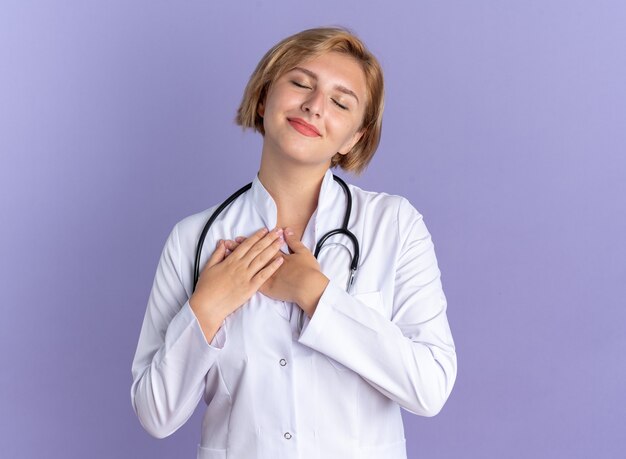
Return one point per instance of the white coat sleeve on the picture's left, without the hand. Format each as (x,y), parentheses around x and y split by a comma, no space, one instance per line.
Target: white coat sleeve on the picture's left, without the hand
(173,356)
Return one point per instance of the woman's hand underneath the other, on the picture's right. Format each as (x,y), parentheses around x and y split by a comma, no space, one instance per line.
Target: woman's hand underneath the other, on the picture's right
(299,279)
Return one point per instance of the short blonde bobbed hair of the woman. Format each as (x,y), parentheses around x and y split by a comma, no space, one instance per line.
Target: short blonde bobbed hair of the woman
(310,43)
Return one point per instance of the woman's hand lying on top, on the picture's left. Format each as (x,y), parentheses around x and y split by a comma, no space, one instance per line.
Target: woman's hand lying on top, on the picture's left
(227,282)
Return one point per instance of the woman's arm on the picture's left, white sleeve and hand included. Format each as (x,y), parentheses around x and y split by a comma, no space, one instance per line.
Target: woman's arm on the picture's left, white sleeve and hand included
(173,356)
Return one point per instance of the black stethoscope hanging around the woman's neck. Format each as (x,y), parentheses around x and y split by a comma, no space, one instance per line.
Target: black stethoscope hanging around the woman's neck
(343,230)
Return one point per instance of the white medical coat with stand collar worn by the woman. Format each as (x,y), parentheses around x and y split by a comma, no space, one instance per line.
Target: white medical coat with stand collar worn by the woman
(332,391)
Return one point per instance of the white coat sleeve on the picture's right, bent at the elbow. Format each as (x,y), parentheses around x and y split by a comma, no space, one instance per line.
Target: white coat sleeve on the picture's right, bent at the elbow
(410,358)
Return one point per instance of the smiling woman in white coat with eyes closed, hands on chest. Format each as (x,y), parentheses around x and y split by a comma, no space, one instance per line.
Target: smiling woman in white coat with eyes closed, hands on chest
(297,356)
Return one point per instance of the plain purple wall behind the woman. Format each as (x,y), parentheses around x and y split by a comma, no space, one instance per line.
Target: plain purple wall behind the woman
(505,125)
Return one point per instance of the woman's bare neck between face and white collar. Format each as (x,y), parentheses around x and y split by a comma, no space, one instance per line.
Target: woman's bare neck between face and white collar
(294,188)
